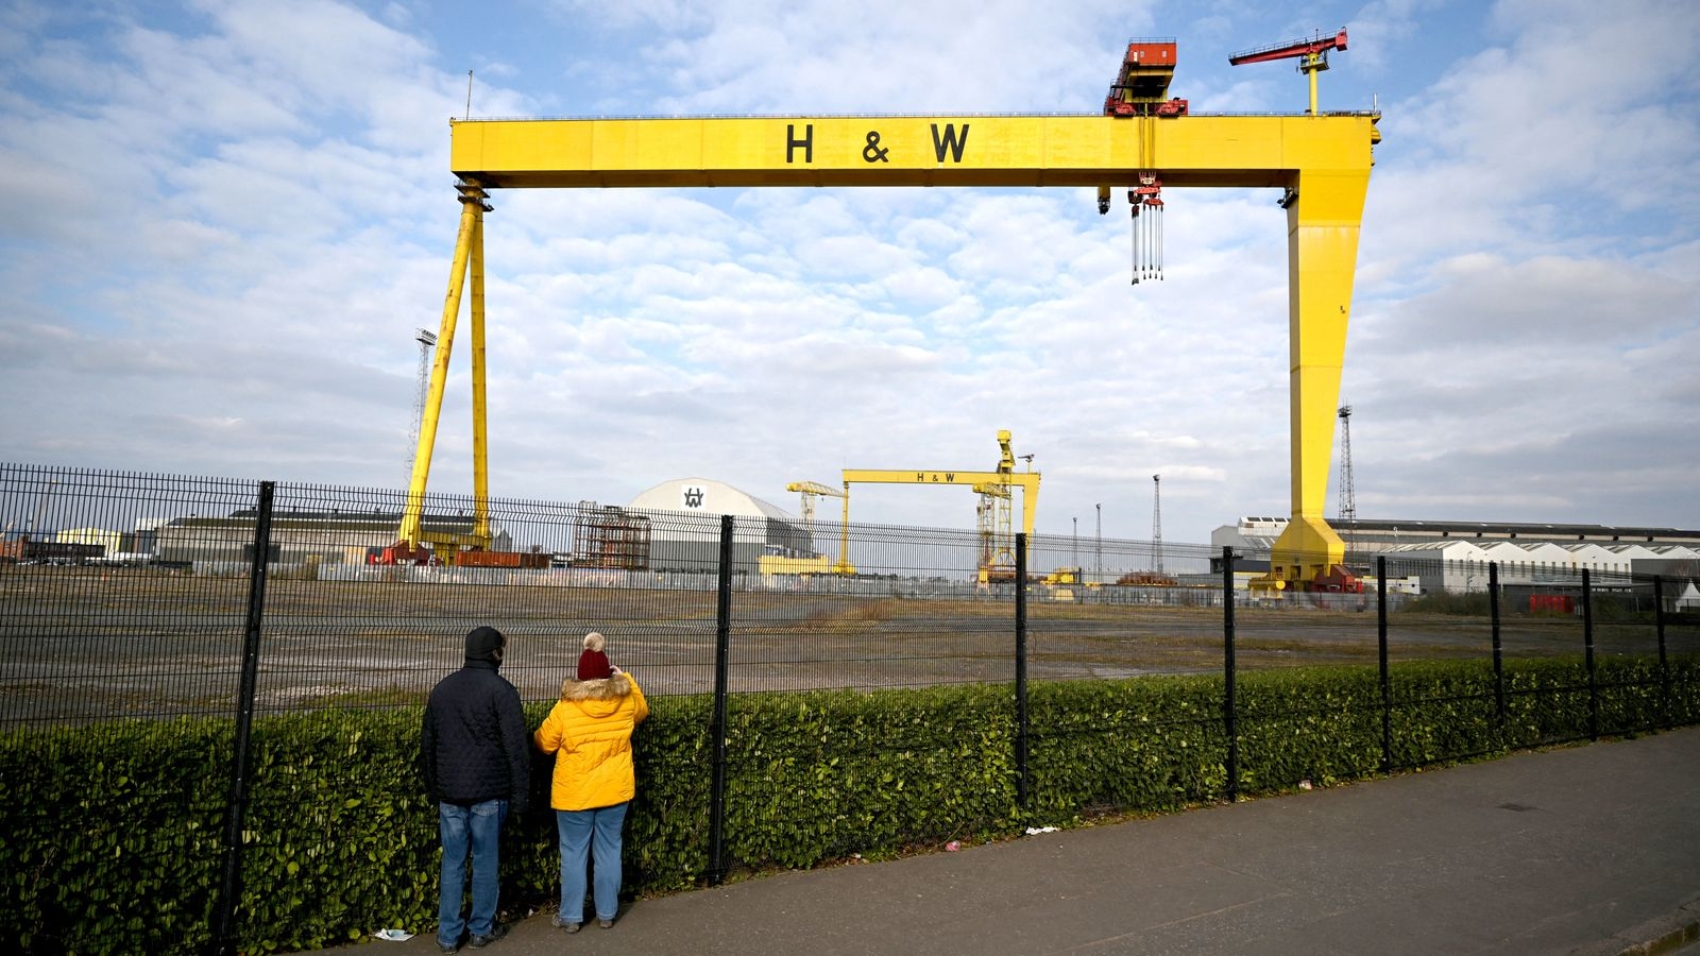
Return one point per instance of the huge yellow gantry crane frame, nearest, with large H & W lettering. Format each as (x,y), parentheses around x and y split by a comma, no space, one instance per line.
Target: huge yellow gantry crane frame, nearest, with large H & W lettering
(1320,162)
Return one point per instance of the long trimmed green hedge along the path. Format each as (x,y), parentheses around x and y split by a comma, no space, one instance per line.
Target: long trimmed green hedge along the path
(111,836)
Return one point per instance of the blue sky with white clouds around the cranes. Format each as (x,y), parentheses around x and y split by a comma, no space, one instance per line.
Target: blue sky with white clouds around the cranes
(227,219)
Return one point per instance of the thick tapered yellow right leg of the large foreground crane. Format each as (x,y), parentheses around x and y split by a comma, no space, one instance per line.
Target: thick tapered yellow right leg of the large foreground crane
(1322,258)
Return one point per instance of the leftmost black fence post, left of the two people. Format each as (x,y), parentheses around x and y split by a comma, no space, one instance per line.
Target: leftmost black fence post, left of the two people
(237,805)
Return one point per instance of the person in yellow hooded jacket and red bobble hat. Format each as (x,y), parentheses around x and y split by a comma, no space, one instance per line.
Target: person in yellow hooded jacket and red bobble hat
(591,734)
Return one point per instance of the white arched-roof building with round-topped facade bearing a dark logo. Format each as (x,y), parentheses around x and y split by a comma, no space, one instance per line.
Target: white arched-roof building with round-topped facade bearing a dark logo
(686,526)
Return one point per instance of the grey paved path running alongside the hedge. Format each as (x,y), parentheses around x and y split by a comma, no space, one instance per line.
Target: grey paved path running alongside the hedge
(1589,850)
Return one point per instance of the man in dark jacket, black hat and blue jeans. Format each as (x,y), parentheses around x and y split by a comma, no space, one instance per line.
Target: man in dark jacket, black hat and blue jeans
(477,760)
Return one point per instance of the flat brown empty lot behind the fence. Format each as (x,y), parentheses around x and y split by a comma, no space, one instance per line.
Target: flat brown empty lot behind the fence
(89,642)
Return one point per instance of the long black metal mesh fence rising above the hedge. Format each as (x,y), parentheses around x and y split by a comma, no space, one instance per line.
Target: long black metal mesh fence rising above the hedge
(166,596)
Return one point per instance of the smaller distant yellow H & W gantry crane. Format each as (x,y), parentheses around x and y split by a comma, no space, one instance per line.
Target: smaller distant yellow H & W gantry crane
(997,550)
